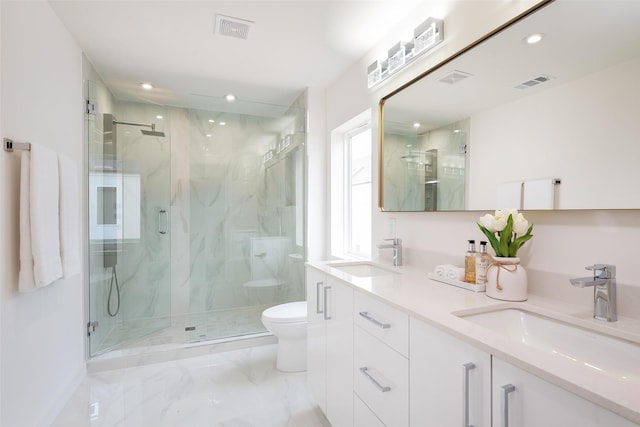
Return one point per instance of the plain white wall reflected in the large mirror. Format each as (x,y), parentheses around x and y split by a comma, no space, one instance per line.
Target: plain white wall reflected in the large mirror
(565,120)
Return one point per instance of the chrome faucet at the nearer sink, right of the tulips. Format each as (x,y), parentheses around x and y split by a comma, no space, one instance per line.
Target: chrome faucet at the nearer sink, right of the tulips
(604,291)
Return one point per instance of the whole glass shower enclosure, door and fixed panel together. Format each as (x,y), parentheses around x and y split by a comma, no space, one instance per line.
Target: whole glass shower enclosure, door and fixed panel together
(195,219)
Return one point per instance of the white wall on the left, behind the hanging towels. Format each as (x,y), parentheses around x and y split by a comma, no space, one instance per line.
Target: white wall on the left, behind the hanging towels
(42,332)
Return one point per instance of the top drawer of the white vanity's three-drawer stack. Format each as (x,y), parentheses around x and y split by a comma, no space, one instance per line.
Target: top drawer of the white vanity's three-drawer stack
(386,323)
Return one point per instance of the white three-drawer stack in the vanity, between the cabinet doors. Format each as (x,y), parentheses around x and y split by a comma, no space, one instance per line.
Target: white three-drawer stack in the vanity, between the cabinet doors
(381,365)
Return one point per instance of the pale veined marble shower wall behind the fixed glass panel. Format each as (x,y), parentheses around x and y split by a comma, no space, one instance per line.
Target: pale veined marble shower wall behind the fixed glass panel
(234,197)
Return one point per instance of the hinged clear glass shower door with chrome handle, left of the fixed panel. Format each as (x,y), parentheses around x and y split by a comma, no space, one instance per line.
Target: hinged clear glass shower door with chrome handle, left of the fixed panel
(129,182)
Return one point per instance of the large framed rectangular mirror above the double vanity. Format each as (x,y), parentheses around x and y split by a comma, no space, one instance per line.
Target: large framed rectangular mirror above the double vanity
(509,124)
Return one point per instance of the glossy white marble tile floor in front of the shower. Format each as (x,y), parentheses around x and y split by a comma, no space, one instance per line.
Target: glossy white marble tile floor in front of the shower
(239,388)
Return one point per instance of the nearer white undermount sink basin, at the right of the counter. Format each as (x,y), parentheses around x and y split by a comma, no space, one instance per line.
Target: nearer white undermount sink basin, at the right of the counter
(605,354)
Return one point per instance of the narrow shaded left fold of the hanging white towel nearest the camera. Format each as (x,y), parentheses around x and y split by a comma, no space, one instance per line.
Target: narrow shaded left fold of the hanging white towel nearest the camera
(26,282)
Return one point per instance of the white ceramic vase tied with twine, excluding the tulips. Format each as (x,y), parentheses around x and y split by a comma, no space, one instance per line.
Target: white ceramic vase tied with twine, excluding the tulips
(506,280)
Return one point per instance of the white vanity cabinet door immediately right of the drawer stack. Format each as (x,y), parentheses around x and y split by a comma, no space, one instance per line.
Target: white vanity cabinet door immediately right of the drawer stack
(450,380)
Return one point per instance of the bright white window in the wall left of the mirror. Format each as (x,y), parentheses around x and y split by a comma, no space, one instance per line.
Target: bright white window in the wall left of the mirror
(351,188)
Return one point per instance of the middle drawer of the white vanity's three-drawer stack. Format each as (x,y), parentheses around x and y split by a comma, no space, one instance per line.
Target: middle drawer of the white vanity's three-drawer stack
(381,379)
